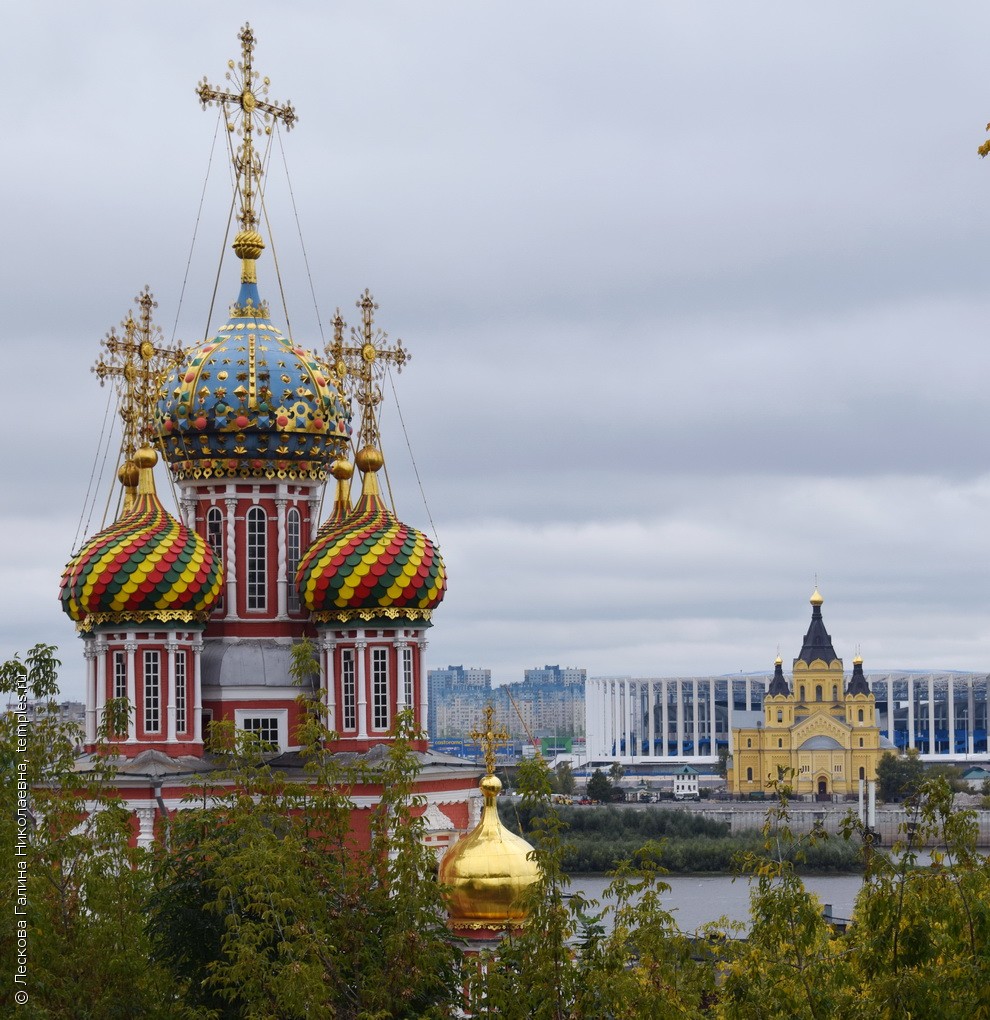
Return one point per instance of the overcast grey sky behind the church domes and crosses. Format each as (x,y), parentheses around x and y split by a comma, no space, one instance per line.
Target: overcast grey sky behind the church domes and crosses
(697,297)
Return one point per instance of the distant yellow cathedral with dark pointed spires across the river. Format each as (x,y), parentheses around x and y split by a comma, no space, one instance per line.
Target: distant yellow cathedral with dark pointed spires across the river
(819,737)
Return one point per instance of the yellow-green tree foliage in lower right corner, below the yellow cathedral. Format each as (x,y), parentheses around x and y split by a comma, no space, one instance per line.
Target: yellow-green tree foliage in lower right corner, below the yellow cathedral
(917,947)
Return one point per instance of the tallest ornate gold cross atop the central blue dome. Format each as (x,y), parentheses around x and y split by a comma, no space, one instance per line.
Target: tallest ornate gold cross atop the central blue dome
(249,96)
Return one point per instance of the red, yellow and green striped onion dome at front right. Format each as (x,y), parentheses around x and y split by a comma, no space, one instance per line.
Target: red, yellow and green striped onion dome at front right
(372,567)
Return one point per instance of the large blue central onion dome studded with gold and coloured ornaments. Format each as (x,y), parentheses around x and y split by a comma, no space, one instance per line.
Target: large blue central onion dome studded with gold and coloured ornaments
(250,403)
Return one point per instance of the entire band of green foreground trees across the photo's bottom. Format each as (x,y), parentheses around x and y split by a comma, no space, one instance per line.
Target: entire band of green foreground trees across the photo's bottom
(256,902)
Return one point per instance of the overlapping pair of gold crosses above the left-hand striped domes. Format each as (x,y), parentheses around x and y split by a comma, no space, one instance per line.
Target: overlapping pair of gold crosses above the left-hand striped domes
(138,363)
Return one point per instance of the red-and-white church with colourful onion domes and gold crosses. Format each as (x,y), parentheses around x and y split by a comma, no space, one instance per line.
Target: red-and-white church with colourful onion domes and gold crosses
(194,618)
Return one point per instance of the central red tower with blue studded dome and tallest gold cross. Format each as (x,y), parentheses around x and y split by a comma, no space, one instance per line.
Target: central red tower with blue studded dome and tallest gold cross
(249,426)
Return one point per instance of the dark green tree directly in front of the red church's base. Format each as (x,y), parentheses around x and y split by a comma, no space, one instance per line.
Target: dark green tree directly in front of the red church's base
(265,906)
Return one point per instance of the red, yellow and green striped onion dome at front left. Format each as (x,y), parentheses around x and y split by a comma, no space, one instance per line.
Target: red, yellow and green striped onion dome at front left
(145,568)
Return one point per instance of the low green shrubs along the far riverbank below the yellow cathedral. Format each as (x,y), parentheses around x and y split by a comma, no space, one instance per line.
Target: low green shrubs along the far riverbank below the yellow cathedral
(598,839)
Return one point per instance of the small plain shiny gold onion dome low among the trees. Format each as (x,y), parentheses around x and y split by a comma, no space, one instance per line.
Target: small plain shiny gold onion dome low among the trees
(488,872)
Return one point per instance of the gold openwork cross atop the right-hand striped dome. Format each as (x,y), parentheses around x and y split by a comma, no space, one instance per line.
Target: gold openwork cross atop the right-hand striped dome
(366,361)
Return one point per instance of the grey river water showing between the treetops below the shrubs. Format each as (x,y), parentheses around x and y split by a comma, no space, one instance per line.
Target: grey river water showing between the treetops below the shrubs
(696,900)
